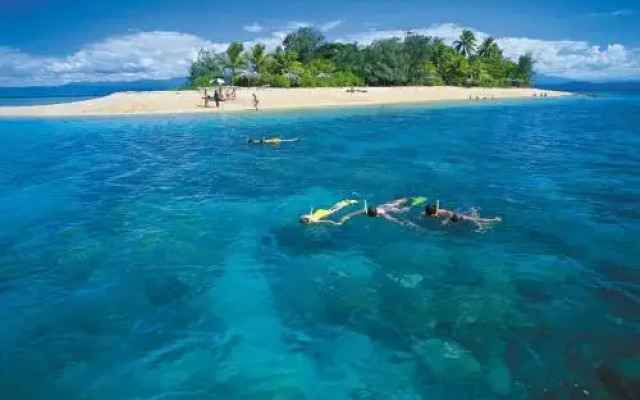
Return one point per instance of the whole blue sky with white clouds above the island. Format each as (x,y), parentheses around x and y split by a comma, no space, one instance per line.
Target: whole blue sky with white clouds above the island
(47,42)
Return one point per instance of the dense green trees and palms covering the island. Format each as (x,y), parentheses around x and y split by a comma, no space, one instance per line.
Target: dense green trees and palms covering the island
(307,59)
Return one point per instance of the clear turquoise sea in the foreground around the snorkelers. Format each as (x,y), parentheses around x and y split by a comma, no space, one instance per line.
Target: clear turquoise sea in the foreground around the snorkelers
(162,258)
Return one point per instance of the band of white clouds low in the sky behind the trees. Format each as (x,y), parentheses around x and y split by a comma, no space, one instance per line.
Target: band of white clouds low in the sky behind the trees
(163,55)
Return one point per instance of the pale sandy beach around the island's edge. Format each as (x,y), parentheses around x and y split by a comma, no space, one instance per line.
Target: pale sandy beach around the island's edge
(191,102)
